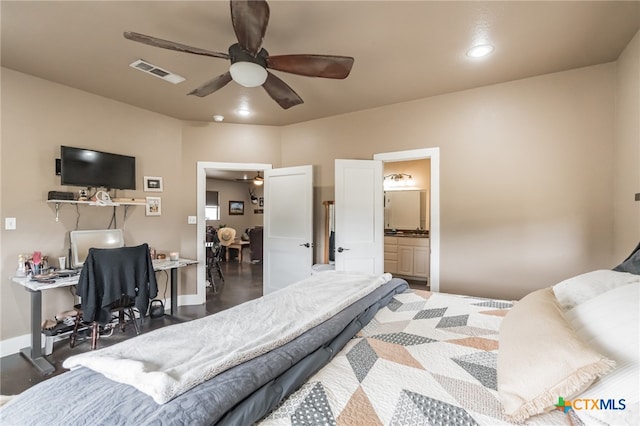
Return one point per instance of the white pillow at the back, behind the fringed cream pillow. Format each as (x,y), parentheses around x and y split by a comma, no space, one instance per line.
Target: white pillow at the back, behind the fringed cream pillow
(576,290)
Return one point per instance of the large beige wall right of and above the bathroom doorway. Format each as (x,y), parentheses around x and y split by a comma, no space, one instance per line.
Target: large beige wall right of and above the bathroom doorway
(526,174)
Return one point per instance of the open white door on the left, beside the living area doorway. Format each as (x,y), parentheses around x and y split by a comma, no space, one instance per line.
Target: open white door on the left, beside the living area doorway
(288,226)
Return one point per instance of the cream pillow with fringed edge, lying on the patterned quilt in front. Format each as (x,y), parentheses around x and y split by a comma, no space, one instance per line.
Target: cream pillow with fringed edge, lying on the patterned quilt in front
(541,358)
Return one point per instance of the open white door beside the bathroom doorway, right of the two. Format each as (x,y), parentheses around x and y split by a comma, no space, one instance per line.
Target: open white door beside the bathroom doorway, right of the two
(359,212)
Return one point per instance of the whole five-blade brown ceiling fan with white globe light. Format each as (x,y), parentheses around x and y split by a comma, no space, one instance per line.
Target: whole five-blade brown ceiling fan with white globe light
(249,60)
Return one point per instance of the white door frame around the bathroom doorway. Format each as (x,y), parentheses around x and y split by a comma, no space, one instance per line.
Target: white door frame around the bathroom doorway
(432,154)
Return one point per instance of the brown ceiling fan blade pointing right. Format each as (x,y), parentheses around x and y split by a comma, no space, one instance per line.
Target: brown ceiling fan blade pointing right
(326,66)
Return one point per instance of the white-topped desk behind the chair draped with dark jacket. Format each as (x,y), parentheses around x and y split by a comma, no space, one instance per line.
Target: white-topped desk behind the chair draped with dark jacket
(34,352)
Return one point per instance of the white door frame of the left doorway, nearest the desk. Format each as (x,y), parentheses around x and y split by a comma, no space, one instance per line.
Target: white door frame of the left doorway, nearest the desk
(201,187)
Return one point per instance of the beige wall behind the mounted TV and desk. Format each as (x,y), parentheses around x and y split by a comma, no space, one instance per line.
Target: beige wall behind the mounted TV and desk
(38,116)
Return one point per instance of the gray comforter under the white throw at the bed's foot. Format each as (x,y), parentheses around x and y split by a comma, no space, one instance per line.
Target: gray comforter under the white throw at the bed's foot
(239,396)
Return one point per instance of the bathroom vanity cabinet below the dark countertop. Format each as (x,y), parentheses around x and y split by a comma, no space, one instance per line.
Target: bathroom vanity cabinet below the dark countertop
(408,256)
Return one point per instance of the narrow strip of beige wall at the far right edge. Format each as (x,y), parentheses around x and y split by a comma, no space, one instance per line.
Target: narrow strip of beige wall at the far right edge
(626,172)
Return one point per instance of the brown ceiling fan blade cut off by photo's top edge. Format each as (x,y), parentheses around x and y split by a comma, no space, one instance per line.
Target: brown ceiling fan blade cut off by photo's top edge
(250,19)
